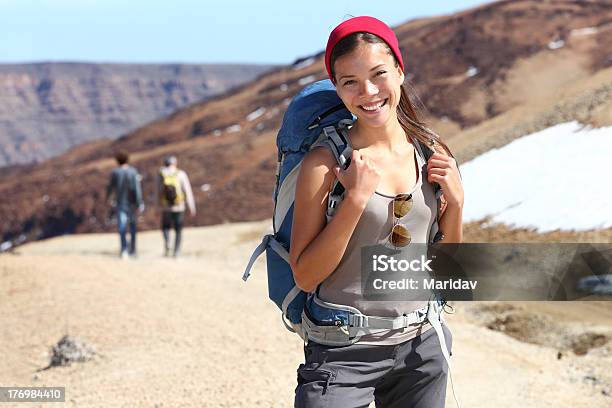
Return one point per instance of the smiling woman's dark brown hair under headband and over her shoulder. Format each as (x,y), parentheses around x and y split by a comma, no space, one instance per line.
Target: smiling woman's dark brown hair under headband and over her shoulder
(406,112)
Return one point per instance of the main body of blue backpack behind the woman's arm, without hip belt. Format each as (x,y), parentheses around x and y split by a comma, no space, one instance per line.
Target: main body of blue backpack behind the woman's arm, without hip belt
(316,116)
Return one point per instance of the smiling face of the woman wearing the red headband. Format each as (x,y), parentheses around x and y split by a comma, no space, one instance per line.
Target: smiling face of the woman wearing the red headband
(368,82)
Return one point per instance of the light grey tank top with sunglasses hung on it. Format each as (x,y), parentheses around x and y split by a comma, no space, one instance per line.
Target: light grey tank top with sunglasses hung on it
(343,286)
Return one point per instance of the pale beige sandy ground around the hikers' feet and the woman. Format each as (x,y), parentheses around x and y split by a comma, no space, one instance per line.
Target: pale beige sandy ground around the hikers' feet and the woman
(191,333)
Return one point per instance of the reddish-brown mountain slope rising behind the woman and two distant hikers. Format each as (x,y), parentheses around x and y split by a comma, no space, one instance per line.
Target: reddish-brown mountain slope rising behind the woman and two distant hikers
(483,76)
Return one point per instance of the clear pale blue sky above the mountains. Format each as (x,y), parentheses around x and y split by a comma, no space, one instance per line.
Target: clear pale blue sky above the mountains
(187,31)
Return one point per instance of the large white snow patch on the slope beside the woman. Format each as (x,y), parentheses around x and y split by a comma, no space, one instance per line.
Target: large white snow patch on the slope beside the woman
(548,180)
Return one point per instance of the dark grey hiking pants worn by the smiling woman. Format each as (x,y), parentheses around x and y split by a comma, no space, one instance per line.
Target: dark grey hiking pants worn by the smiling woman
(408,375)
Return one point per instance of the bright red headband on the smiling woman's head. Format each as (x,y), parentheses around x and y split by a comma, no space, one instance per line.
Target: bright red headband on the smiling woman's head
(362,24)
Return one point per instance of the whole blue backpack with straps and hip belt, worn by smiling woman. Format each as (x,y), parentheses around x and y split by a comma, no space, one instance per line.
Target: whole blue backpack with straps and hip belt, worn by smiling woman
(315,117)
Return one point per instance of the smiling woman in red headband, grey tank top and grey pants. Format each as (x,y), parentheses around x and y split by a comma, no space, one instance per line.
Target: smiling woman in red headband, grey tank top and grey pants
(388,192)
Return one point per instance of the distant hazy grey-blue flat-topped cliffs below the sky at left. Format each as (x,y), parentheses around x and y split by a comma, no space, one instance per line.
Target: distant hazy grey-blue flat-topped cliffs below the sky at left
(49,107)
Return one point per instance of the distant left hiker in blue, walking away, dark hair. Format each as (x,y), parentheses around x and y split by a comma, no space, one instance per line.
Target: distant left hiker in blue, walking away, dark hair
(124,194)
